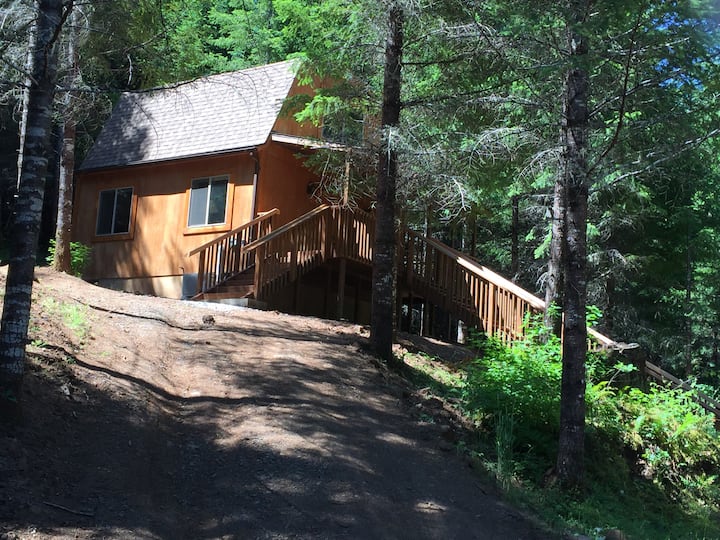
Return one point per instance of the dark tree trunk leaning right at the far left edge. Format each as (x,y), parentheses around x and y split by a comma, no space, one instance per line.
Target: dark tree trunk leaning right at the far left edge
(28,207)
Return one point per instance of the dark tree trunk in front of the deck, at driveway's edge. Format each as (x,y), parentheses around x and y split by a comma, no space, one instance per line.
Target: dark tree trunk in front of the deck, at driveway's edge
(383,282)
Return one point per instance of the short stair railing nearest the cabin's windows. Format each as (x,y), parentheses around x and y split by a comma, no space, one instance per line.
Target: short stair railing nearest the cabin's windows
(224,257)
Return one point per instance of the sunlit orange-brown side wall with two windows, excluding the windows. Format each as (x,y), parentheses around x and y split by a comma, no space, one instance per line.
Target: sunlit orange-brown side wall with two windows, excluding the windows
(160,240)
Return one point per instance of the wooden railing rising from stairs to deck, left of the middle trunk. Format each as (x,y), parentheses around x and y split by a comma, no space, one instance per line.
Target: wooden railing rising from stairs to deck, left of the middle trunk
(307,242)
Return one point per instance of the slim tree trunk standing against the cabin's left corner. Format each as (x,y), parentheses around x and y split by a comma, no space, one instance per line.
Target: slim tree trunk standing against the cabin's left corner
(62,261)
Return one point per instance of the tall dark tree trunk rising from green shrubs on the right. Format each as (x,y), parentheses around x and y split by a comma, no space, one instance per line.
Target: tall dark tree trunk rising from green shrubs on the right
(571,447)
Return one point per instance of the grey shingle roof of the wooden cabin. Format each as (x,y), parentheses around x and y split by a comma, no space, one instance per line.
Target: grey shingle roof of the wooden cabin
(210,115)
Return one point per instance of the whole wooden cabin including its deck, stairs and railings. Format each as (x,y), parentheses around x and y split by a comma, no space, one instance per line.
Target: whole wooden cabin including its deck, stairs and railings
(198,190)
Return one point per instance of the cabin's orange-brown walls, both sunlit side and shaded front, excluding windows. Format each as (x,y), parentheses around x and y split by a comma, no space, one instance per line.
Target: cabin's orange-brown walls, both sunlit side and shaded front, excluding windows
(160,239)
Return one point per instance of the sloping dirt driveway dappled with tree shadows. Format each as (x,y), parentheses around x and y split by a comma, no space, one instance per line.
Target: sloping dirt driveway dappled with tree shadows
(151,418)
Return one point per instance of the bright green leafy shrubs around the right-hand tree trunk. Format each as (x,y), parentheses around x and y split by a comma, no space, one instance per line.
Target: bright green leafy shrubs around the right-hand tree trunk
(664,433)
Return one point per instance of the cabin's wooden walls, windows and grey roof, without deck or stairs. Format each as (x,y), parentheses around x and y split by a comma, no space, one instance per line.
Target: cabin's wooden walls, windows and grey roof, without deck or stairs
(175,168)
